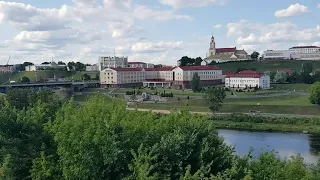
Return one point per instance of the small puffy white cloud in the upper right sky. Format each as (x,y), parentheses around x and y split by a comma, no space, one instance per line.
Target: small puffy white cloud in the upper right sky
(292,10)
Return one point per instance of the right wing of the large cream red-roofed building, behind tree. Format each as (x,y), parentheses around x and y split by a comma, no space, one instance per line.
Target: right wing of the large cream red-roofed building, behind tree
(209,76)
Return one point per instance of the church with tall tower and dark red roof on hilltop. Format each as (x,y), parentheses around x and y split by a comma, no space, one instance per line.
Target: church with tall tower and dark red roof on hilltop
(220,55)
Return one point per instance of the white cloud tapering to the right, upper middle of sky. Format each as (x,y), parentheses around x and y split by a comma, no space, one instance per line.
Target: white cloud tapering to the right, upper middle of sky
(143,12)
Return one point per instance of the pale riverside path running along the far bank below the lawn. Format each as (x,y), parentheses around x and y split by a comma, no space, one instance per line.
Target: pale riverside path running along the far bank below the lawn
(221,114)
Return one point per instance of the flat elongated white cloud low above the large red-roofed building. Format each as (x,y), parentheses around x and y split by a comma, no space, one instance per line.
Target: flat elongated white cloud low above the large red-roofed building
(149,47)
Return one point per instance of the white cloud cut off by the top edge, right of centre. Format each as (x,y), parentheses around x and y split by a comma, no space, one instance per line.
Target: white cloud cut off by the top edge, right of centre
(191,3)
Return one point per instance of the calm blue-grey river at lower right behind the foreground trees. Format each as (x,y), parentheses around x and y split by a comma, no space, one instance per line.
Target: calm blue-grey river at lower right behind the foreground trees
(286,144)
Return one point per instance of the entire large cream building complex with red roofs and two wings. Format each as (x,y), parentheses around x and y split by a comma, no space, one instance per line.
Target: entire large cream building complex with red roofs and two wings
(175,77)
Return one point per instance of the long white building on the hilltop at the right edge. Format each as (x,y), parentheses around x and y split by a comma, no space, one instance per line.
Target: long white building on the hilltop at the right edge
(294,53)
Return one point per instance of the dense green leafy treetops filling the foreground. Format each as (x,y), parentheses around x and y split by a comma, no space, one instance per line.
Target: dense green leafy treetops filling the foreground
(42,137)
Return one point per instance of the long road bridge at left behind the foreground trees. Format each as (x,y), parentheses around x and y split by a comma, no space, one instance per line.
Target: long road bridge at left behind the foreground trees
(74,86)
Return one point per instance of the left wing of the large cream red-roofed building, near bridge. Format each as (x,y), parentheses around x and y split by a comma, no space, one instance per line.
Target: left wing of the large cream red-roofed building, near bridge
(122,77)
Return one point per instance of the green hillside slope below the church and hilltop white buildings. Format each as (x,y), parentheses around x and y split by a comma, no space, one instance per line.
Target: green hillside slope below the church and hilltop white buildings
(262,66)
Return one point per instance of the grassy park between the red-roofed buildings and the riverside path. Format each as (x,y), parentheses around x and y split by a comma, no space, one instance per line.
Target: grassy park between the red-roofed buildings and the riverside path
(280,99)
